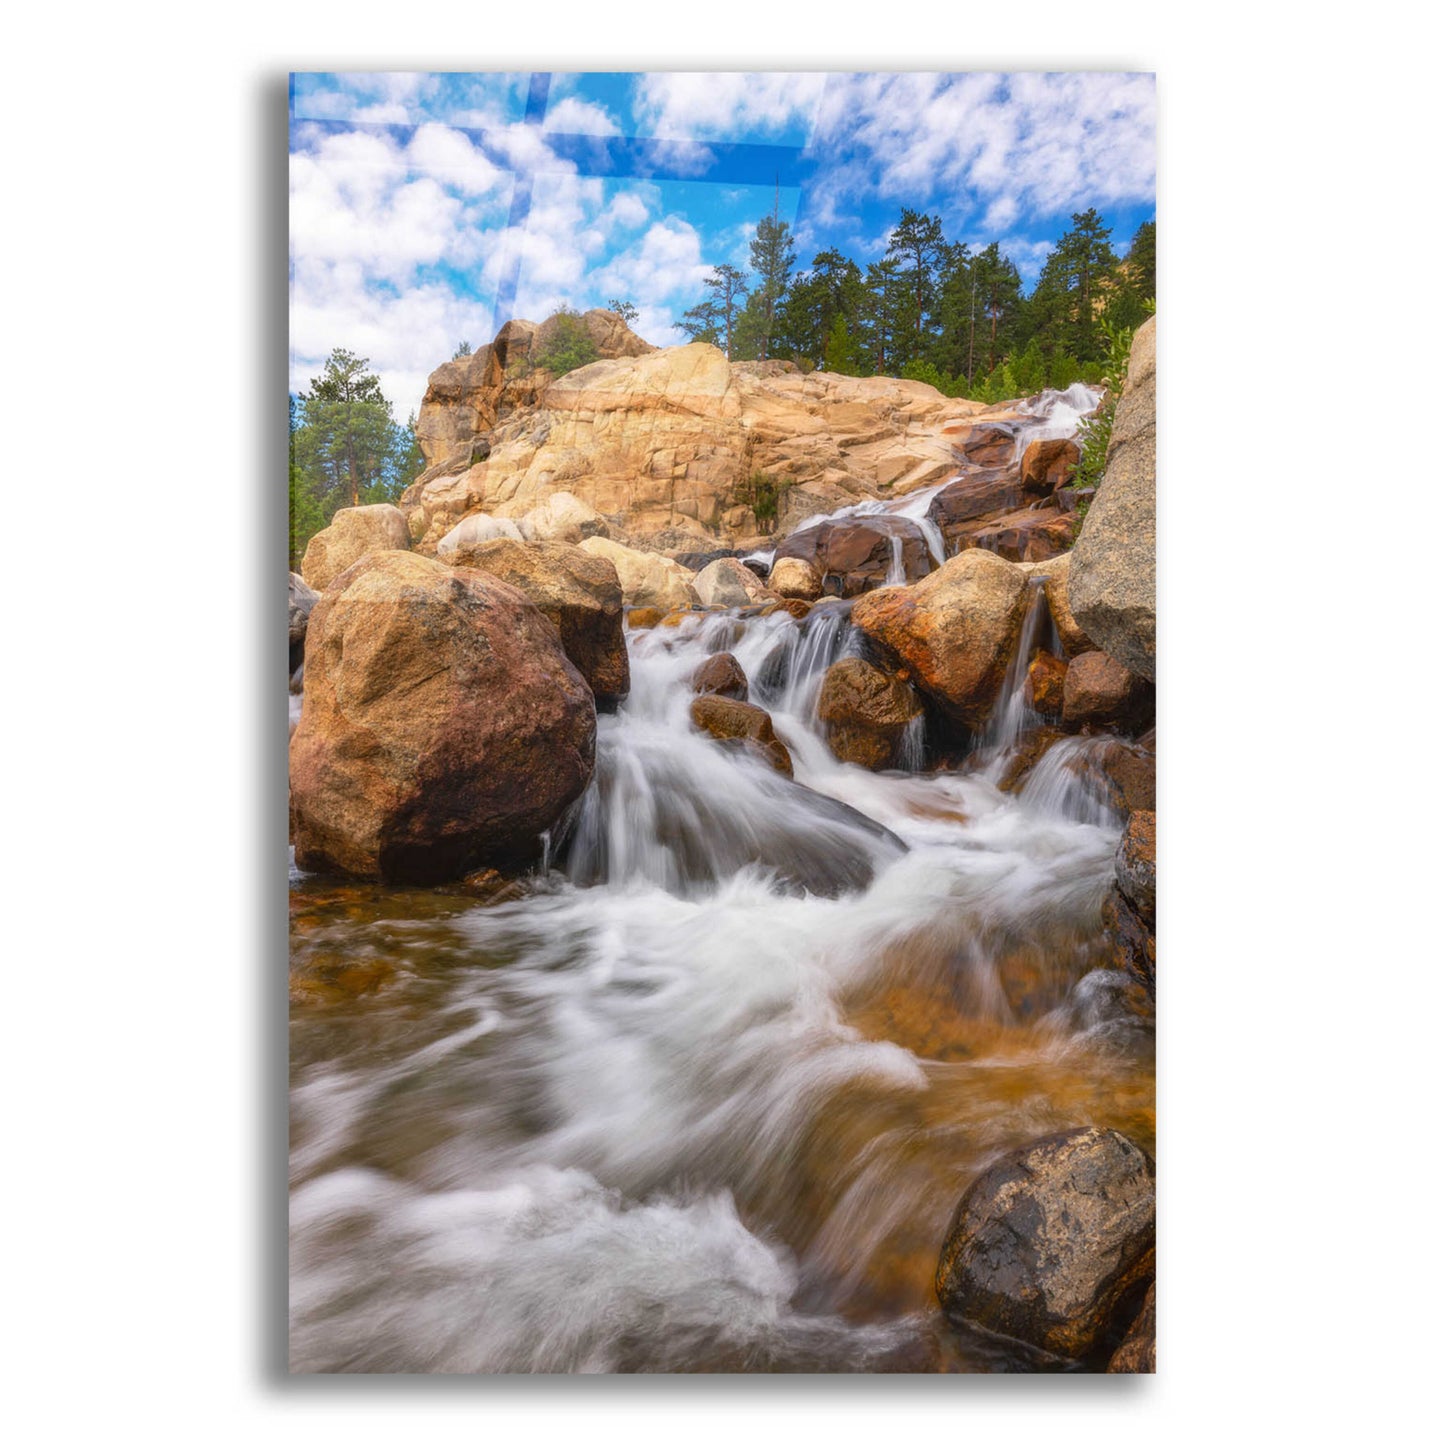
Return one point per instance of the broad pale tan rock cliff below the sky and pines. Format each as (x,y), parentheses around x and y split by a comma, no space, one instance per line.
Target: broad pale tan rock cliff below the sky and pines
(668,440)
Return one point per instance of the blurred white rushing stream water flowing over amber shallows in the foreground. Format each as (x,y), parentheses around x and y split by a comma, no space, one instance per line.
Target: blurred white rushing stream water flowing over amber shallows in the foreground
(706,1092)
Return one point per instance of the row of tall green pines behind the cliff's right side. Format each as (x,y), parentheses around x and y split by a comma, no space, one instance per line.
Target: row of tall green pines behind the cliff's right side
(933,310)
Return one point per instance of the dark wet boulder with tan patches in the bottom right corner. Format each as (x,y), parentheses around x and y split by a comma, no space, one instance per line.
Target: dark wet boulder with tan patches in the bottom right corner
(1054,1243)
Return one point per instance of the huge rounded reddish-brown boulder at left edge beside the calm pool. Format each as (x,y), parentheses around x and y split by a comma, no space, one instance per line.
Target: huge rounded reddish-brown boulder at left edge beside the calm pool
(443,729)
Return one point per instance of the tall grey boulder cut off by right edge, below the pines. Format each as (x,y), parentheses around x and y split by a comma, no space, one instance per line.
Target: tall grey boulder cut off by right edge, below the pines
(1112,580)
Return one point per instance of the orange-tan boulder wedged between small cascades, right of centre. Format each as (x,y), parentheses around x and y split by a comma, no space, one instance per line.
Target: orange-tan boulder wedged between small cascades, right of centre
(953,632)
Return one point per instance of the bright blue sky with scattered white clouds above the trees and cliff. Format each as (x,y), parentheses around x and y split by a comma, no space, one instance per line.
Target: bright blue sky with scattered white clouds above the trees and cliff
(427,209)
